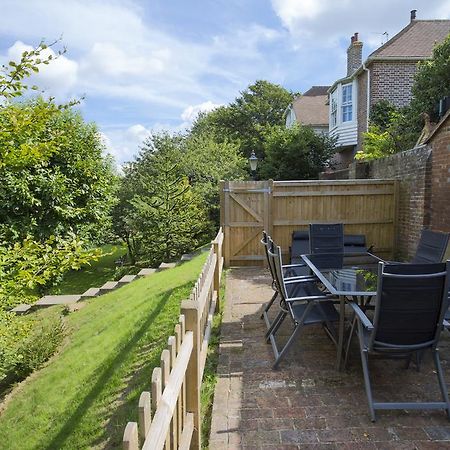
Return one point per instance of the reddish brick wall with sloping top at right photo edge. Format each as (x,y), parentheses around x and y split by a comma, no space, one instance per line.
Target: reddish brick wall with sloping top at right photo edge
(440,178)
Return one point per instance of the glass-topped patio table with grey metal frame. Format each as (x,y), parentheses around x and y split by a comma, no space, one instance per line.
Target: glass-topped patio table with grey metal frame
(348,276)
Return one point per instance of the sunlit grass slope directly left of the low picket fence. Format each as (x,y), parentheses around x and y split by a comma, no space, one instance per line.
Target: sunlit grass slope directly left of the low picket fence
(86,394)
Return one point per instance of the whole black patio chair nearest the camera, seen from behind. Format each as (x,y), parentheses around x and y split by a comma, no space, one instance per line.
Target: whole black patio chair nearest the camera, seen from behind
(409,312)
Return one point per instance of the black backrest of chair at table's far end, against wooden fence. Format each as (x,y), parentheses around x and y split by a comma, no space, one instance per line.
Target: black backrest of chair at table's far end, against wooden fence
(326,238)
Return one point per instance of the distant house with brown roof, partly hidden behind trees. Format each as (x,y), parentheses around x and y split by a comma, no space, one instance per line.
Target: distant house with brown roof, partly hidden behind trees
(311,108)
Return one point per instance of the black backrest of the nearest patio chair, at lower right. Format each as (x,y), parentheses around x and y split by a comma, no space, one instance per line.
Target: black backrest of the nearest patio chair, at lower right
(410,306)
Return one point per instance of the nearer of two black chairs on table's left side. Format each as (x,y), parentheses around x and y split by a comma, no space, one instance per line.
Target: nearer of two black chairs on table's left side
(307,306)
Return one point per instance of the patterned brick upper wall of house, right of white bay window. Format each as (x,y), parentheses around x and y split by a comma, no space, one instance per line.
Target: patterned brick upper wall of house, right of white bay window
(392,81)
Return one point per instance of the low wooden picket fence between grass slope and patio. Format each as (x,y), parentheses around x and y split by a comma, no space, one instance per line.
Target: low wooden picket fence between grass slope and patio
(175,385)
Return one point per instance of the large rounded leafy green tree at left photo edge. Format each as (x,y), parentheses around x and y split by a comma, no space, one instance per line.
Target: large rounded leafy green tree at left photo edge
(53,178)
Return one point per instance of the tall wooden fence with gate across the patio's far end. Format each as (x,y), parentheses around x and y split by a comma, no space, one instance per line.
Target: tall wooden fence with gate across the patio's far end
(247,207)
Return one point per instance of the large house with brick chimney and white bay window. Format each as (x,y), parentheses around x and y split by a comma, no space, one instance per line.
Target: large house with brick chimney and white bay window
(387,74)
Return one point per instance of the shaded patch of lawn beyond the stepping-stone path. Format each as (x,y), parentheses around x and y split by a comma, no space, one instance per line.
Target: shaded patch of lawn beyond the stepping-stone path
(93,275)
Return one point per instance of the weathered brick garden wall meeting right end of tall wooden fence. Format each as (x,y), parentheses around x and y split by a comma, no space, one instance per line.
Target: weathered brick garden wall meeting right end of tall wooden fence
(413,169)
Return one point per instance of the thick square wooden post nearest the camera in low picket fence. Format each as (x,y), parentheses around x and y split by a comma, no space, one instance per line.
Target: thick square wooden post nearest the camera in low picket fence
(190,311)
